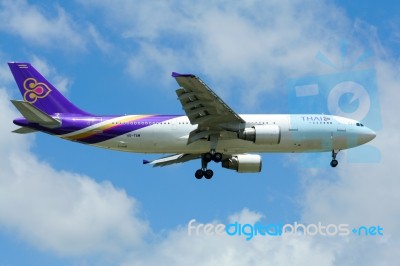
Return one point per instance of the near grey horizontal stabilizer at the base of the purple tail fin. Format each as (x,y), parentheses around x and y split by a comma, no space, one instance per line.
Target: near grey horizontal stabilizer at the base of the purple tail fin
(35,115)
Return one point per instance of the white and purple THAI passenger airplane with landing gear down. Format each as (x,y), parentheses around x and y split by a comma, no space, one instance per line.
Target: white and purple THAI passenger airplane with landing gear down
(210,130)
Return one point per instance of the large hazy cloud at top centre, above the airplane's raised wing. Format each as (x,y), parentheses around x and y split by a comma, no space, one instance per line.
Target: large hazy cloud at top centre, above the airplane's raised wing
(247,44)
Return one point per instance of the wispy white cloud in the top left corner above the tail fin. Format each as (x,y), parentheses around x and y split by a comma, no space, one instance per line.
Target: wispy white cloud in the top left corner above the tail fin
(41,27)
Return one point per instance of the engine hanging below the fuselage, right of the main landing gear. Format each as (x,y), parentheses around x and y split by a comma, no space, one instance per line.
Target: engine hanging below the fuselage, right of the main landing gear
(244,163)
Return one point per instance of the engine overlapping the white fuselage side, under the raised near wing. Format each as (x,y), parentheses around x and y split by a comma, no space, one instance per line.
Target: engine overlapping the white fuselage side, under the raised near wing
(261,134)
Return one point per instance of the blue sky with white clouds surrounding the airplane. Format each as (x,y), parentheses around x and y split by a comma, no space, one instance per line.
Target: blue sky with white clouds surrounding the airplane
(69,204)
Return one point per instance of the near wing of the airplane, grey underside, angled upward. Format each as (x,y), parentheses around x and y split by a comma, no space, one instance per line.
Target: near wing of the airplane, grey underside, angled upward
(202,105)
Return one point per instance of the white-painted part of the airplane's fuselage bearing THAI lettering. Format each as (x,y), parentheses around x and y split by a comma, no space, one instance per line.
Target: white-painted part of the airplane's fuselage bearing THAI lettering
(298,133)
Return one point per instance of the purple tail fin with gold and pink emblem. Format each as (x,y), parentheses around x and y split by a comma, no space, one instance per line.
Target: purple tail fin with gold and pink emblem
(36,90)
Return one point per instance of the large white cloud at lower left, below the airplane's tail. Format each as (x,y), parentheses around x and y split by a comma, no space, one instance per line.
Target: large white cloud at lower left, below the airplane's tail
(67,213)
